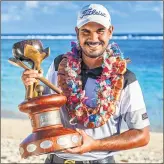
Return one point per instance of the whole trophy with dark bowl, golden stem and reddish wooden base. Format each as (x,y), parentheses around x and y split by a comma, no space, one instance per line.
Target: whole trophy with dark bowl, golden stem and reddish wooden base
(48,134)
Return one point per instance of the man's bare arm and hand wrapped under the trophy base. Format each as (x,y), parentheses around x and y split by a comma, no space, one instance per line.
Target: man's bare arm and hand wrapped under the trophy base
(132,138)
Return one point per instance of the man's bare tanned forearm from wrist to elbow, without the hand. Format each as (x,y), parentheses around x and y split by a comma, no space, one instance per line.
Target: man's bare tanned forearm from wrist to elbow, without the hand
(127,140)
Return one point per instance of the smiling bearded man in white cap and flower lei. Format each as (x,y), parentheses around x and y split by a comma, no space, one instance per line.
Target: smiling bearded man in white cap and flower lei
(103,115)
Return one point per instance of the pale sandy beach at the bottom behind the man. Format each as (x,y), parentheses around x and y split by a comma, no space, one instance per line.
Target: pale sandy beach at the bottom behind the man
(13,131)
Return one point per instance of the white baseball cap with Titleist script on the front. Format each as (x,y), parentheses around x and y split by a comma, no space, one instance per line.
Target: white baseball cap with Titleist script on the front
(94,13)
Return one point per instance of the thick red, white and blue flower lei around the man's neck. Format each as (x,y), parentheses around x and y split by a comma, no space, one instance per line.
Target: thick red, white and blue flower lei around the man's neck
(108,86)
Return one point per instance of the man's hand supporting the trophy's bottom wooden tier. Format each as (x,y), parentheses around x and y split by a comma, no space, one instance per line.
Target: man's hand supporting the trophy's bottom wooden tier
(89,144)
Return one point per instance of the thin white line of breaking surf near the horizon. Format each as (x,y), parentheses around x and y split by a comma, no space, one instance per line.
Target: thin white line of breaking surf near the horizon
(69,37)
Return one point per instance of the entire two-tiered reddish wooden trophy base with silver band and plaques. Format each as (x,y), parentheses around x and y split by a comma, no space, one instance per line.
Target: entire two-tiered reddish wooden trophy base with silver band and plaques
(48,133)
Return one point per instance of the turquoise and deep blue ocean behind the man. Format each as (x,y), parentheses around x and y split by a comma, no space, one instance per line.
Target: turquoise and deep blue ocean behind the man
(144,50)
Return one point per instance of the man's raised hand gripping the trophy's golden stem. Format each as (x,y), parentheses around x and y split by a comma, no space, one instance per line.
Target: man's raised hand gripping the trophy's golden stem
(29,77)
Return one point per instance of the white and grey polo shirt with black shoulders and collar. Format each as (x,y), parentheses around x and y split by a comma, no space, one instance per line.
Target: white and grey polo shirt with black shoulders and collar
(130,108)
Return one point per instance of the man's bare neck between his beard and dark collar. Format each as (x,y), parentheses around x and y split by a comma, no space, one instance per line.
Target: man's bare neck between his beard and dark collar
(92,62)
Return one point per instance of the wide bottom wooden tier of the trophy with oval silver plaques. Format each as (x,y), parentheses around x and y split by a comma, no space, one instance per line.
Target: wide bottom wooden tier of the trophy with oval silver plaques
(48,141)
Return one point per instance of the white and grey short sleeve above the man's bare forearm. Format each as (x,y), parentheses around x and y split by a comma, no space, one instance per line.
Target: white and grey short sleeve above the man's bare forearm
(133,109)
